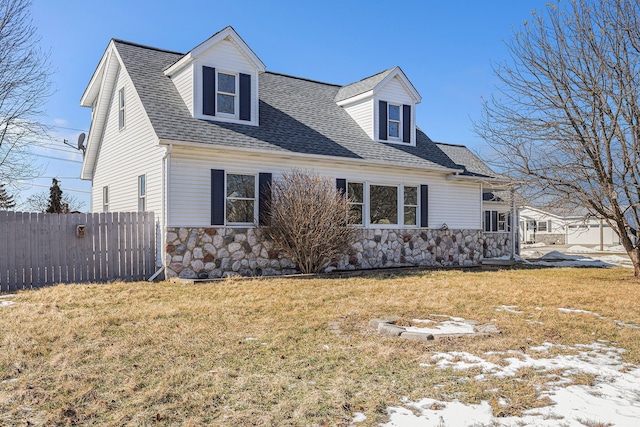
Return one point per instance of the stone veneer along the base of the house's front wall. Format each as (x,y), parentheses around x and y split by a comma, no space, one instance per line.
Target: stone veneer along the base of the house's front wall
(208,253)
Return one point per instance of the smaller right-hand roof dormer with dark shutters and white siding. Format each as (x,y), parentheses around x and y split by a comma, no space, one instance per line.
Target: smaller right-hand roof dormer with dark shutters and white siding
(383,105)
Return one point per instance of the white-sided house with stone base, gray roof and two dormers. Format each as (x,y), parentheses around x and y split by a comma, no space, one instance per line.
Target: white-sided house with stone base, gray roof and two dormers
(197,137)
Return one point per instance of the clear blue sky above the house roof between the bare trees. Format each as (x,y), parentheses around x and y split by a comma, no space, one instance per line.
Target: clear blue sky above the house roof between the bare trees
(445,48)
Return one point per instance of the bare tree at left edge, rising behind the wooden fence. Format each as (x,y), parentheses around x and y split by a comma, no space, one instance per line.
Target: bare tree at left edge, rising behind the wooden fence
(24,87)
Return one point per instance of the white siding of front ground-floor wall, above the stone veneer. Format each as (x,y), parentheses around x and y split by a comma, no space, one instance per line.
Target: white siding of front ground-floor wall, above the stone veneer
(456,203)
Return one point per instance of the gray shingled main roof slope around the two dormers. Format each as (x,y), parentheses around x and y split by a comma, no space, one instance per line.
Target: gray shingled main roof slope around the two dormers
(296,115)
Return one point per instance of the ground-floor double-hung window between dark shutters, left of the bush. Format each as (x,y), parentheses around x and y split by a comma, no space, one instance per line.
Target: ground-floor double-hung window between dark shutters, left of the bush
(241,199)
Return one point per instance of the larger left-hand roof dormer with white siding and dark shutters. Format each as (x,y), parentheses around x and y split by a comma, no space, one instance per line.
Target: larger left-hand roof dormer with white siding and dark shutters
(218,79)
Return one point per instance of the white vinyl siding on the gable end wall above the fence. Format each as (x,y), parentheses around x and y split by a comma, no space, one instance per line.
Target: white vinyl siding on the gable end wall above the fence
(125,155)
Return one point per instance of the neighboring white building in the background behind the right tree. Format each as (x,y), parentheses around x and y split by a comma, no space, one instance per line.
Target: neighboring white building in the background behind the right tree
(553,226)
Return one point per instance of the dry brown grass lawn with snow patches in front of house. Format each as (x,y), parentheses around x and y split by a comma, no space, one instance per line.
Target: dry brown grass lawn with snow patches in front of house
(262,352)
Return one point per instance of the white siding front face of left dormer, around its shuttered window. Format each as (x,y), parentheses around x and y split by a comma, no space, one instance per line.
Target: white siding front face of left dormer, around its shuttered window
(225,57)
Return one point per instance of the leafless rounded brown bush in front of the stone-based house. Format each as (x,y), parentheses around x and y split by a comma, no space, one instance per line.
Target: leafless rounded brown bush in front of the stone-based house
(309,220)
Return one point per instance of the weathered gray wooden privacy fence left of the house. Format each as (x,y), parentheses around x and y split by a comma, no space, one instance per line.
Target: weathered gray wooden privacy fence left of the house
(43,249)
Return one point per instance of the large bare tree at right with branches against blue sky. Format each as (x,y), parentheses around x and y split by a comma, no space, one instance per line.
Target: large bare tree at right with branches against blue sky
(566,120)
